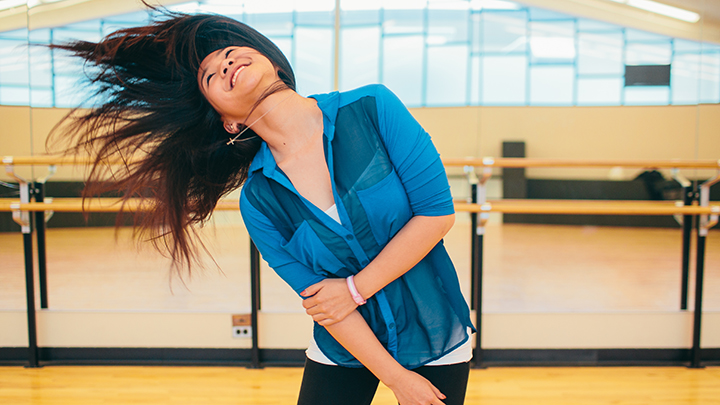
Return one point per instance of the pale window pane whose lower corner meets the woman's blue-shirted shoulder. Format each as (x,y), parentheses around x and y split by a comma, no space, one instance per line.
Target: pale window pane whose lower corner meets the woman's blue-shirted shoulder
(402,67)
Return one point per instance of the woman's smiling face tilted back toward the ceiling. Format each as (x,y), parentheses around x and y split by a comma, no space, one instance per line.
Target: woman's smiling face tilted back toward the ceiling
(232,79)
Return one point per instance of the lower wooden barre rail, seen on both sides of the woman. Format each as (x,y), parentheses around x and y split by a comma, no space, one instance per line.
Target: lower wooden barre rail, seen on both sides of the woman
(569,207)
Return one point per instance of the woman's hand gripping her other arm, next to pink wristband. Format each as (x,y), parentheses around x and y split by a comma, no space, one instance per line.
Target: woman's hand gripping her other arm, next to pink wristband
(329,301)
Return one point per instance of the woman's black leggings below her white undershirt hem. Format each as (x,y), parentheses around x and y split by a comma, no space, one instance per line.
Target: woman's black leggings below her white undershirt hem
(334,385)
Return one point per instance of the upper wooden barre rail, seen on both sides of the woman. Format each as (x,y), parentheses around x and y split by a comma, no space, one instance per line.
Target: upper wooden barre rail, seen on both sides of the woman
(484,162)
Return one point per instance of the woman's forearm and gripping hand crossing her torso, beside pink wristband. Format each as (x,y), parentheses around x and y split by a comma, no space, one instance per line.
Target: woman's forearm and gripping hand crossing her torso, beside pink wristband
(330,300)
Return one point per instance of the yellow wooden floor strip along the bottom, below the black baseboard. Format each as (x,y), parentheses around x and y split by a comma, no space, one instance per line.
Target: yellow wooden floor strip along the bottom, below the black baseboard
(216,385)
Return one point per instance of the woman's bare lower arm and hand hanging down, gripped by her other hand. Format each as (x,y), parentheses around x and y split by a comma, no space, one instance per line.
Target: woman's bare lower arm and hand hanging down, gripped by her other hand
(409,387)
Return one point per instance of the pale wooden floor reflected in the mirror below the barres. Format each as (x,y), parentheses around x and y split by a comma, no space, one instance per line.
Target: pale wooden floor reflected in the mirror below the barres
(528,268)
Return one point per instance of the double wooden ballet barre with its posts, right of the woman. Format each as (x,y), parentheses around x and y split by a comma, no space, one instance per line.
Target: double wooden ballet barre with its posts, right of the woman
(480,208)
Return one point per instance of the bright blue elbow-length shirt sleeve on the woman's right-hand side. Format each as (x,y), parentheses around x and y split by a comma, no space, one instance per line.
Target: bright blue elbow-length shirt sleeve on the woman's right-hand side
(414,157)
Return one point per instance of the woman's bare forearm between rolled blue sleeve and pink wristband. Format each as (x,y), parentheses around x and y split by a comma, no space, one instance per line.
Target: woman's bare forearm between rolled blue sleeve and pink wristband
(412,243)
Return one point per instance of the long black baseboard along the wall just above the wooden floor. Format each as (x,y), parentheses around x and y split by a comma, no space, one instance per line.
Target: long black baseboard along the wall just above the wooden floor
(296,357)
